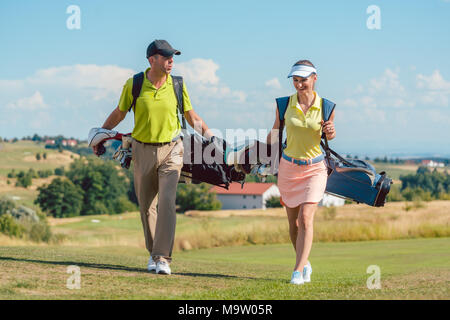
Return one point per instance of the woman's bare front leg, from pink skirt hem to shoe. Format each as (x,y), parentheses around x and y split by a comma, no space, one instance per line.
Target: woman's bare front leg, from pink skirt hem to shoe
(305,234)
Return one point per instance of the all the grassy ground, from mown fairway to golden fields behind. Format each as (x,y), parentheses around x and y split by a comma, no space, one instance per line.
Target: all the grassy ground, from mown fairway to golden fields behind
(228,254)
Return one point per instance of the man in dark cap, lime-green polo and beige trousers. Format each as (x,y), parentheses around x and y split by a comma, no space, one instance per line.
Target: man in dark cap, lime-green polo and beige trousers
(157,150)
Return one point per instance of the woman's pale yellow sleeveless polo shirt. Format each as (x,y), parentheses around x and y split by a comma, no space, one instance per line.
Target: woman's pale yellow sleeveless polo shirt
(303,130)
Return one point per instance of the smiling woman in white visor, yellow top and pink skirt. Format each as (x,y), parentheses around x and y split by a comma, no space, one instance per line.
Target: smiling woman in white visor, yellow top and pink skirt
(302,173)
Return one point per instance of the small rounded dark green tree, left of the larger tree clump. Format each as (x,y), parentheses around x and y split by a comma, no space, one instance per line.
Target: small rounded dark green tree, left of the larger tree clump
(61,198)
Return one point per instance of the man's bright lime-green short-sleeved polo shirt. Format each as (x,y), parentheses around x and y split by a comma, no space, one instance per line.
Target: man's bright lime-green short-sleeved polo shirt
(156,114)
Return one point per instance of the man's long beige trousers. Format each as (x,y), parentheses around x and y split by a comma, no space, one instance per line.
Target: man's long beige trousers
(156,173)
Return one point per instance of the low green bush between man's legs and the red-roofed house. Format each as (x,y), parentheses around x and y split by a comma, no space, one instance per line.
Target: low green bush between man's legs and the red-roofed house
(196,197)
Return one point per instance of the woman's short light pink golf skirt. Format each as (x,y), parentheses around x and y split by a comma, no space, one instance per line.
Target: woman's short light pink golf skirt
(301,183)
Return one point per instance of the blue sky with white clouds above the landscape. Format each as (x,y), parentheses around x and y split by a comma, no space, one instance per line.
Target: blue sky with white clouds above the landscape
(391,86)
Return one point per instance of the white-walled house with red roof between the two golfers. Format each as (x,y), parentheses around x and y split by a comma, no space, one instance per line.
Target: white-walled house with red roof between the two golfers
(252,196)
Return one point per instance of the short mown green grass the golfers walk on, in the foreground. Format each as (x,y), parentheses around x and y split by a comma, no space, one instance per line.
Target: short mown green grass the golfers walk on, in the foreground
(410,269)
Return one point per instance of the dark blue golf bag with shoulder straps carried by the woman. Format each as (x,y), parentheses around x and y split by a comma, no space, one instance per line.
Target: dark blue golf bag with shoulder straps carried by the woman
(356,180)
